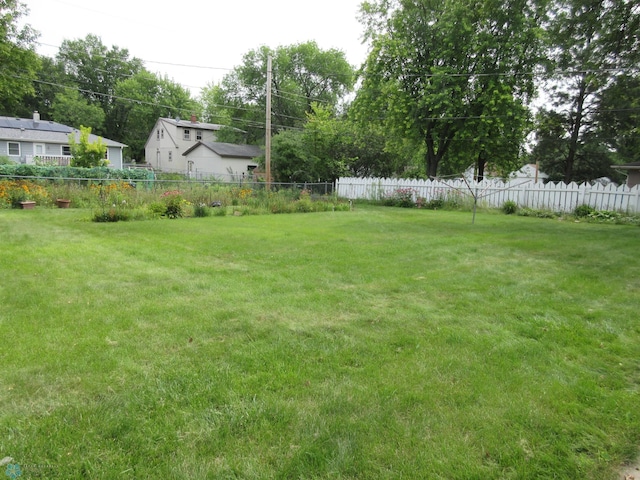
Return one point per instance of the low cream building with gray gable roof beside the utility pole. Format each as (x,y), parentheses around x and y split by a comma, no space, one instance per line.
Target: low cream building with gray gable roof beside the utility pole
(223,160)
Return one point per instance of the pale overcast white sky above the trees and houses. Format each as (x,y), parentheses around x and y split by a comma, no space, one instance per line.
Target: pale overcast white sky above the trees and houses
(196,43)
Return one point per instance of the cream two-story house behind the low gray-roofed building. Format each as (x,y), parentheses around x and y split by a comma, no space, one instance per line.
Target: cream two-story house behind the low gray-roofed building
(170,138)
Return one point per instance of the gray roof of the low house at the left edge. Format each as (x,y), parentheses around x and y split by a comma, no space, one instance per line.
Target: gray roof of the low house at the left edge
(29,130)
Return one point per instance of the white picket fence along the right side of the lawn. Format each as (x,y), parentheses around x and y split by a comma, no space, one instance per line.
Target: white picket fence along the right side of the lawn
(558,197)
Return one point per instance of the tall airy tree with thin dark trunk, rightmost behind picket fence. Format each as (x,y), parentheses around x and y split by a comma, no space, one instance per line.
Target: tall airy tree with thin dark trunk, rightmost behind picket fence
(591,43)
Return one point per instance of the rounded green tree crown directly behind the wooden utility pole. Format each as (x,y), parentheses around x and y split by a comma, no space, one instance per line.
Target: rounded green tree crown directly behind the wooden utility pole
(301,74)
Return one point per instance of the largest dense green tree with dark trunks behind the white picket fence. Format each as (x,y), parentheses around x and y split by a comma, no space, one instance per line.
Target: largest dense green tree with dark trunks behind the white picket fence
(453,68)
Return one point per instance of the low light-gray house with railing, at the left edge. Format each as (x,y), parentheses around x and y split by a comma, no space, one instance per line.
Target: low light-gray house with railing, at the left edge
(26,140)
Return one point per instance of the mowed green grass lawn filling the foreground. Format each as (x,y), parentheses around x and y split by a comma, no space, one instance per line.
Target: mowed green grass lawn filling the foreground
(377,343)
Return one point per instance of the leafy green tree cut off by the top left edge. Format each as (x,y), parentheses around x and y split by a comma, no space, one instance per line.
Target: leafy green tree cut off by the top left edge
(18,60)
